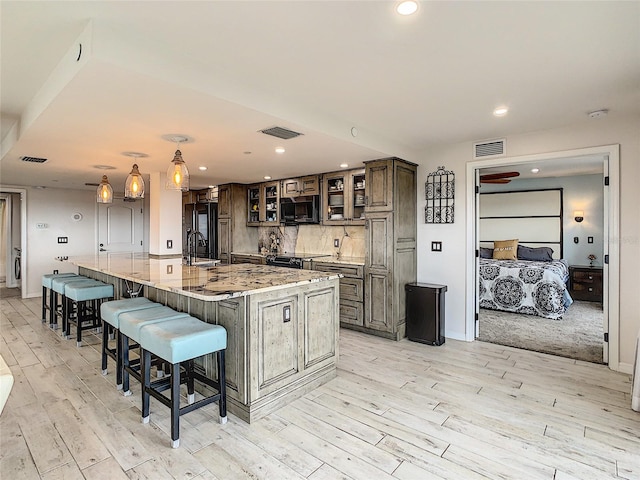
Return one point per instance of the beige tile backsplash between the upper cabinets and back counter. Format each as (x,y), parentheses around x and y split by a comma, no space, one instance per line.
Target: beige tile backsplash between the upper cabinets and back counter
(303,239)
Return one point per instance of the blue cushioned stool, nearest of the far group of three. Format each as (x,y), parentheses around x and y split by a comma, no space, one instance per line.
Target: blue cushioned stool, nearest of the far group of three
(83,301)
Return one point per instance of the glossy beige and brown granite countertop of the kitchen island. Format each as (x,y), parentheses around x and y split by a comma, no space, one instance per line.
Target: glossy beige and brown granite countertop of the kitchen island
(210,283)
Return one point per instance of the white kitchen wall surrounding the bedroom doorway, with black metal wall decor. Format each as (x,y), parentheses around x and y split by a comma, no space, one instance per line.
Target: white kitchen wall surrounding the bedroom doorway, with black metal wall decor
(448,267)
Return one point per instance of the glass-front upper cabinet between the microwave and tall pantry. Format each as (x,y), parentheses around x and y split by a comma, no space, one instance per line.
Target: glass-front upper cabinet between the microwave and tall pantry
(343,198)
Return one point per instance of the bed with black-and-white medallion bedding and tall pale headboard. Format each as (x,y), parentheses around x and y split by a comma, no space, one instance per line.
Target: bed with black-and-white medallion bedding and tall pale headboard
(525,274)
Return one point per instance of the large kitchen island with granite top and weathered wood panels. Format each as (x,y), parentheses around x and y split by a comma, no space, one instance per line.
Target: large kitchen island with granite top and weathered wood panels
(282,324)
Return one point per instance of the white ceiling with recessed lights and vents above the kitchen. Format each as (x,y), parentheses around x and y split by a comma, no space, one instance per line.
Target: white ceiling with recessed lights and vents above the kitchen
(219,71)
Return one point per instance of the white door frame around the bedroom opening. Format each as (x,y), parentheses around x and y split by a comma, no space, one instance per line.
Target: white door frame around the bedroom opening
(610,159)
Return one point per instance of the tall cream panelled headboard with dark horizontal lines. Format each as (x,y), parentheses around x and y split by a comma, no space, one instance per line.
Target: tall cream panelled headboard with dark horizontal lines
(534,217)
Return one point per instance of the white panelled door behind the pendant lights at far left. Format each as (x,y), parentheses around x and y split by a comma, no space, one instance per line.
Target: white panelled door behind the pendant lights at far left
(120,226)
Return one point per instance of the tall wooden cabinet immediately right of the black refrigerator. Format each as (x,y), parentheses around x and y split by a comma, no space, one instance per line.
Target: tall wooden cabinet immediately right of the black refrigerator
(233,233)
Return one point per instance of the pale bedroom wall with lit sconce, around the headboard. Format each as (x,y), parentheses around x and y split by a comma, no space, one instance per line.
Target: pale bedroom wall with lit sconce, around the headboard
(582,192)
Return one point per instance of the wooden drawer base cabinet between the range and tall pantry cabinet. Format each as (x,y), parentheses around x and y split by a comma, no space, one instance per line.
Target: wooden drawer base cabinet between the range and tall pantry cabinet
(351,291)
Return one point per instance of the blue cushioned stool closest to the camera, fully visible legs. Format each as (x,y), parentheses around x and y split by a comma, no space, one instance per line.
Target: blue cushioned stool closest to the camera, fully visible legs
(178,341)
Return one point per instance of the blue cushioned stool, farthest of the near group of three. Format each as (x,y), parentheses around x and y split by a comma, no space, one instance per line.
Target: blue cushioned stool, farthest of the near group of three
(110,313)
